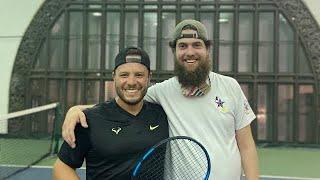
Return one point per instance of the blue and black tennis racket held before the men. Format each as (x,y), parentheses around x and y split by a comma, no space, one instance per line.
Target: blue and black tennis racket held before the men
(175,158)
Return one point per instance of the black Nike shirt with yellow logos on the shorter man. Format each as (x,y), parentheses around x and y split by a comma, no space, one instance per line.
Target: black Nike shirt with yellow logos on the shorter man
(115,139)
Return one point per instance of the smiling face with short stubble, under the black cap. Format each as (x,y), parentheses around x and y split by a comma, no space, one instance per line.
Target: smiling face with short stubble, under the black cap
(131,82)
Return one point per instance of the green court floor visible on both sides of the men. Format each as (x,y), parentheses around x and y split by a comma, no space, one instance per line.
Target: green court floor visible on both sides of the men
(275,161)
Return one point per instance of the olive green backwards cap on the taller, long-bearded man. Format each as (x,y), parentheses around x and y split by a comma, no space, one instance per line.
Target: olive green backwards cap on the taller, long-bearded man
(201,32)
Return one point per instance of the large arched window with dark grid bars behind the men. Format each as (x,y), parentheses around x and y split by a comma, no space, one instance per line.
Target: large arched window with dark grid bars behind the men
(261,43)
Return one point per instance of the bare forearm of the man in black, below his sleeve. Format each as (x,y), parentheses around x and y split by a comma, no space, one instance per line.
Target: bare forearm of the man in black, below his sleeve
(61,171)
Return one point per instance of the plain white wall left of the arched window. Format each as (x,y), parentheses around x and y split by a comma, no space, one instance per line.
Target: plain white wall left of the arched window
(15,16)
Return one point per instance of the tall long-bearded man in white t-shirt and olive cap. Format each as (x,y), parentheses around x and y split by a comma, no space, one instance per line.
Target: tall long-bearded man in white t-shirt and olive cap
(204,105)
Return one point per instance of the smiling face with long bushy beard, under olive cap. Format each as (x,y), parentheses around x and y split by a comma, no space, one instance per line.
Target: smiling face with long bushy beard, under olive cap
(192,63)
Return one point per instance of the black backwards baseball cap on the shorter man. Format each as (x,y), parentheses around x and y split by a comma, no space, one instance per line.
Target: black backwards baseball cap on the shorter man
(133,55)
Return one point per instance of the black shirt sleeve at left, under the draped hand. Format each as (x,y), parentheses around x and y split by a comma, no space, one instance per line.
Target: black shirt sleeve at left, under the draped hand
(75,157)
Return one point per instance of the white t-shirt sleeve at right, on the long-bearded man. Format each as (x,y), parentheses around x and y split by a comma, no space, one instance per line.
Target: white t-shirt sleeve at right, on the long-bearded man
(243,112)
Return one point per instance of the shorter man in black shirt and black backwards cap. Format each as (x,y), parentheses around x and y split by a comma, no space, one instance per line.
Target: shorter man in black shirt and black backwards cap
(120,130)
